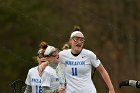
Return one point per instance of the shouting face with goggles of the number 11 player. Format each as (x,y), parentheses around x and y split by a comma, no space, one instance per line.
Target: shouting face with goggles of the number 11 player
(77,43)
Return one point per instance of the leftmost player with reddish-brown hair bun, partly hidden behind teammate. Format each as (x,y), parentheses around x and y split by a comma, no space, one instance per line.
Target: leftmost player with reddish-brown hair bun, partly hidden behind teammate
(33,80)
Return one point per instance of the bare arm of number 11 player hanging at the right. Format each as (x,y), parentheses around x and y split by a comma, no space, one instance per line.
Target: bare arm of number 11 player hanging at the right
(106,78)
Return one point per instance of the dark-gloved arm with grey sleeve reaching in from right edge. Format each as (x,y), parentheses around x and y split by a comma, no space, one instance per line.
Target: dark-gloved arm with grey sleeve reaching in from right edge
(132,83)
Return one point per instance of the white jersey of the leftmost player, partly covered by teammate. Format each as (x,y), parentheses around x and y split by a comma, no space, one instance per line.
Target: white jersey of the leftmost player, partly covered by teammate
(34,80)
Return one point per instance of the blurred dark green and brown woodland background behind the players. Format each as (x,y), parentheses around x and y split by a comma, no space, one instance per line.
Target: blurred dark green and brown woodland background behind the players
(111,28)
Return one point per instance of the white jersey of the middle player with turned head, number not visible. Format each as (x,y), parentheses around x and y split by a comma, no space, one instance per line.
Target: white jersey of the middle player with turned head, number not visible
(50,78)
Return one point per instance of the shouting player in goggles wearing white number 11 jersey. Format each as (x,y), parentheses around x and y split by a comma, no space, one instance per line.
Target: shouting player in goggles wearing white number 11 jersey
(78,64)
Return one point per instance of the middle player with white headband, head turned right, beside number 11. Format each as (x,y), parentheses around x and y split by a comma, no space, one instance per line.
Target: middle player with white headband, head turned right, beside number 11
(50,80)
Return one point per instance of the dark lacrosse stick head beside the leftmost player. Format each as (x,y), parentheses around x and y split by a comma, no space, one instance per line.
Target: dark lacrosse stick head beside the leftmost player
(17,86)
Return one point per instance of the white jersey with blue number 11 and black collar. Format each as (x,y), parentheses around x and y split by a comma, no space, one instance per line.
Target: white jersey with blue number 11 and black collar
(78,70)
